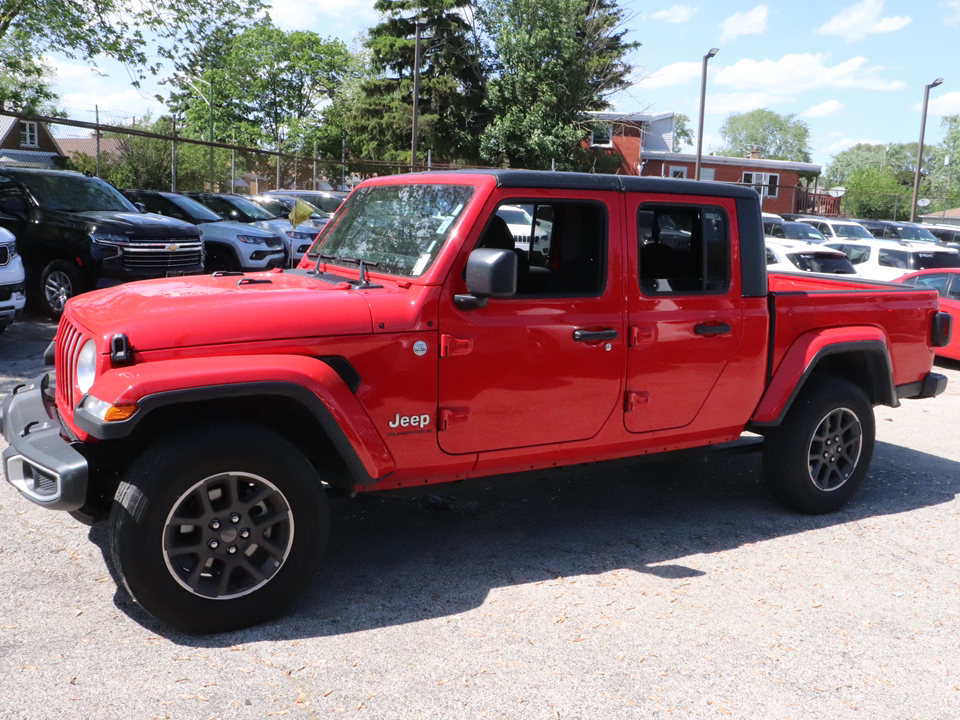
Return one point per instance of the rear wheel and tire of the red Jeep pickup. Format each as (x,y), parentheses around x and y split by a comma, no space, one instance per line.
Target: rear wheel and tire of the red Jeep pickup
(817,459)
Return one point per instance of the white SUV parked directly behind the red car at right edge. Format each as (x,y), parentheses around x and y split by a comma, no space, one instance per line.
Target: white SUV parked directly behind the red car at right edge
(889,259)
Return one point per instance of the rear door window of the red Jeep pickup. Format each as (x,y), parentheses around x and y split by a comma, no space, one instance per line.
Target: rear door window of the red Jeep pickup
(683,249)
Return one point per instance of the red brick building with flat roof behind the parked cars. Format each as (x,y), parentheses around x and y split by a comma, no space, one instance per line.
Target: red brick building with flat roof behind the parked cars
(645,144)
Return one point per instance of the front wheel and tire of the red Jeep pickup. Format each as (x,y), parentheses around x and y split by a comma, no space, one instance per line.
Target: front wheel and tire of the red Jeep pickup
(218,528)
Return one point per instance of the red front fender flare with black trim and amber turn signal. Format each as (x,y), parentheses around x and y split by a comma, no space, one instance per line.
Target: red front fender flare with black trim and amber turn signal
(308,380)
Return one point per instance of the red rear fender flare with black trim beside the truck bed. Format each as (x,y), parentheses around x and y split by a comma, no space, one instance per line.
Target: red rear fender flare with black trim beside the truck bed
(804,355)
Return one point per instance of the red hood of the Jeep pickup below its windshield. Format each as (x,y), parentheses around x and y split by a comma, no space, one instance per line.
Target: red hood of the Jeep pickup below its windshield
(207,310)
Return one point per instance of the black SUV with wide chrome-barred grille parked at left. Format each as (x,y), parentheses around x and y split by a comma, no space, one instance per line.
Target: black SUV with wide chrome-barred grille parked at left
(76,232)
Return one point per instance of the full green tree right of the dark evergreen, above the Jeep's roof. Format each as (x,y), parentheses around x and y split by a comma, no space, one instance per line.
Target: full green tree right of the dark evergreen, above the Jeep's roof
(556,60)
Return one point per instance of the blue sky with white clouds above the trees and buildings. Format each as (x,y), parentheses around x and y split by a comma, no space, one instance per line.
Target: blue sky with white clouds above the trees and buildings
(854,71)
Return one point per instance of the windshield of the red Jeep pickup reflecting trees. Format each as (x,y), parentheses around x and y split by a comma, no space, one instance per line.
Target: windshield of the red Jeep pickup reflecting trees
(401,227)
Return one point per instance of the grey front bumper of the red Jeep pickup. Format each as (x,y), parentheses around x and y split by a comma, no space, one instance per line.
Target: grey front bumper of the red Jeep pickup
(40,462)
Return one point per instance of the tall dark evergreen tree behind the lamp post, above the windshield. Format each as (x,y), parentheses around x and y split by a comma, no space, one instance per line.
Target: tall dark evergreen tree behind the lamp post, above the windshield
(453,76)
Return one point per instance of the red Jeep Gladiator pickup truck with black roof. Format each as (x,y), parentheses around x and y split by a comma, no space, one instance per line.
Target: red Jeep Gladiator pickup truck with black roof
(425,339)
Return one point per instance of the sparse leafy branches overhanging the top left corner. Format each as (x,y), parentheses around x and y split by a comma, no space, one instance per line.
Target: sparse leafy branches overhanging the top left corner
(119,29)
